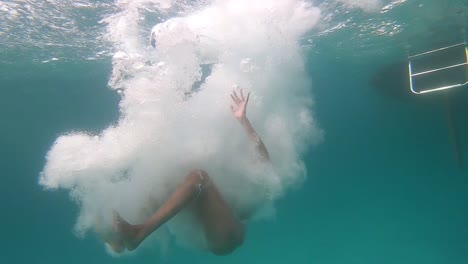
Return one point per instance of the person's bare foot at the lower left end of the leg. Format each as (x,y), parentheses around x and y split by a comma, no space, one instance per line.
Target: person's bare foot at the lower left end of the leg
(127,233)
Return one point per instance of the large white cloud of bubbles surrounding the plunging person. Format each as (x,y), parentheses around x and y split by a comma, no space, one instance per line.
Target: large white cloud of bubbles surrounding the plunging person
(168,126)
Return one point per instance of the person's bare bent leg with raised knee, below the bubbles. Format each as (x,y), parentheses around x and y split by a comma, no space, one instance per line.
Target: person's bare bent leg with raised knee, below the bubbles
(223,232)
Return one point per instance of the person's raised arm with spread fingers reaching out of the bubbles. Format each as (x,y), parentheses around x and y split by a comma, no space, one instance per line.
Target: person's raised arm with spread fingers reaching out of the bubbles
(239,110)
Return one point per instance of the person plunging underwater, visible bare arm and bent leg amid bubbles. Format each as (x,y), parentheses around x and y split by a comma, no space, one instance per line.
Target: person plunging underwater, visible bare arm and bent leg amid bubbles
(223,230)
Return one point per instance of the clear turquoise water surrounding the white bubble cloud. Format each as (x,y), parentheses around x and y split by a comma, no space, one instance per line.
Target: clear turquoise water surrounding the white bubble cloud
(384,186)
